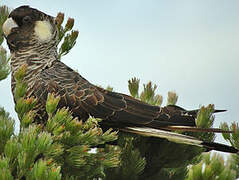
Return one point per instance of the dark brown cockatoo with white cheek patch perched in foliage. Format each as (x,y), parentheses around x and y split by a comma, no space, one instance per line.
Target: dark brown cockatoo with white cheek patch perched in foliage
(32,37)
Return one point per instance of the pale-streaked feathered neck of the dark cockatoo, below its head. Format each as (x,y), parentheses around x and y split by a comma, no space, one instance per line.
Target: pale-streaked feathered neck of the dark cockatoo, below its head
(36,58)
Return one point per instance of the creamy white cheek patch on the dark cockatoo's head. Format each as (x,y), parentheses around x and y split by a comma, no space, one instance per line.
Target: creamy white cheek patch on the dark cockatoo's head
(43,30)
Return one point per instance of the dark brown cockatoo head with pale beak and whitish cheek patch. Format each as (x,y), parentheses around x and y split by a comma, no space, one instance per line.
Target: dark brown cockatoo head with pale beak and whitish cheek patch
(26,26)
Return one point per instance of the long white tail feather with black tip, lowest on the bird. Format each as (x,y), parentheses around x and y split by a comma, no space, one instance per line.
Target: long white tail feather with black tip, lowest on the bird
(180,138)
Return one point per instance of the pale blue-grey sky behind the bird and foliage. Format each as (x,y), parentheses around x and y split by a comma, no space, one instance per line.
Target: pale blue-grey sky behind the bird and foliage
(186,46)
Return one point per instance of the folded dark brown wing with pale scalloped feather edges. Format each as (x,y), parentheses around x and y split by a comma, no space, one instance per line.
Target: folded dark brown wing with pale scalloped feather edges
(116,109)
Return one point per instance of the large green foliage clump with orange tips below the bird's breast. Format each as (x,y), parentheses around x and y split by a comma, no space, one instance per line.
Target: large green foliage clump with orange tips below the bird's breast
(63,148)
